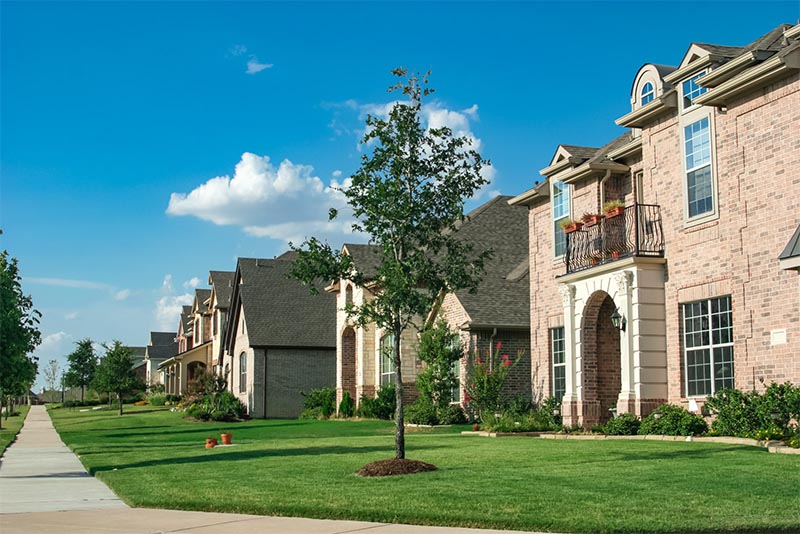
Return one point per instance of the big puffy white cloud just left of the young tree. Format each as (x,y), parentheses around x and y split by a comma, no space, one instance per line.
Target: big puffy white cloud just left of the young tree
(286,202)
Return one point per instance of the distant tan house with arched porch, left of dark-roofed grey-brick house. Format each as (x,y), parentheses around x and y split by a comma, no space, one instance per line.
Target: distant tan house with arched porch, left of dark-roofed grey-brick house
(194,337)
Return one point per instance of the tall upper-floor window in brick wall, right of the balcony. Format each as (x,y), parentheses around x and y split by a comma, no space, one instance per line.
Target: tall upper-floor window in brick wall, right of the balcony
(699,186)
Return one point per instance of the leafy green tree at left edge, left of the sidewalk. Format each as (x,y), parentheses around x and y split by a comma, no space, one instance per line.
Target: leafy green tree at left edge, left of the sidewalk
(19,334)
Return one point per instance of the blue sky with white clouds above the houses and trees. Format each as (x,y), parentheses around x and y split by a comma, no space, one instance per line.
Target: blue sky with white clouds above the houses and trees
(114,114)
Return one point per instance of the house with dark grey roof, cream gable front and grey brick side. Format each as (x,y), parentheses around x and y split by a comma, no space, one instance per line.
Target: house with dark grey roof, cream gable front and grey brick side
(280,338)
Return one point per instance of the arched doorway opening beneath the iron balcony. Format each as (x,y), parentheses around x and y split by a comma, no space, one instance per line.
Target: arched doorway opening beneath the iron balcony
(601,369)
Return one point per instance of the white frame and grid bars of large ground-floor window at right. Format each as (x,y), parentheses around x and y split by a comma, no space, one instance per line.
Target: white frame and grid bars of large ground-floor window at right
(713,347)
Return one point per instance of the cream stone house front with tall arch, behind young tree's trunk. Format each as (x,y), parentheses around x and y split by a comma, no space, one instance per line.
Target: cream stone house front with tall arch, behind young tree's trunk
(363,359)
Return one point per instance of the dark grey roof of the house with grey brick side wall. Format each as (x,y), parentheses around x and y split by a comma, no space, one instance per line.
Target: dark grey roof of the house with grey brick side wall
(279,310)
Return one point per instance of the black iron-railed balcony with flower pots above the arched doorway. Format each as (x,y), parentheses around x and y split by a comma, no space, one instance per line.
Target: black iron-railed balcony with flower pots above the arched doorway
(635,233)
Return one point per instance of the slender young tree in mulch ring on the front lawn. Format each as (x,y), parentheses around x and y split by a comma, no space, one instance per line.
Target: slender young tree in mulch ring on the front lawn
(408,196)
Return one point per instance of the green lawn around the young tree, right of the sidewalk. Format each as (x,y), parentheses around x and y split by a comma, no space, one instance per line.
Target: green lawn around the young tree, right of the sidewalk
(305,468)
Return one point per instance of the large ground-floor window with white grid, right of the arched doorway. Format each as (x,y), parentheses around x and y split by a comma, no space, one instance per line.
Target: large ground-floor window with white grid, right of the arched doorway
(708,346)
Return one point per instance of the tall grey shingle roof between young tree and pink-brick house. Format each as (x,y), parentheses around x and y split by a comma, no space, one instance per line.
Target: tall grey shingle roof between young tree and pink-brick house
(503,297)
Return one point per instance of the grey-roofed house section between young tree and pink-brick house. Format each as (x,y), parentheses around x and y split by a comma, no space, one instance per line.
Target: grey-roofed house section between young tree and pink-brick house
(499,311)
